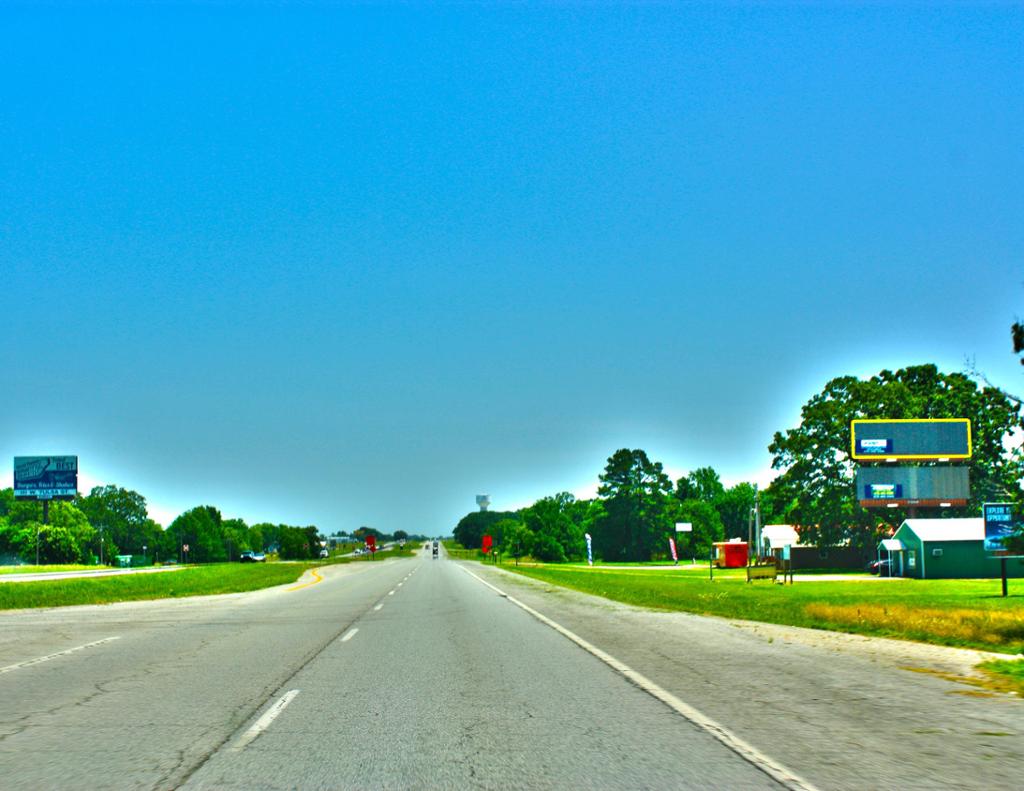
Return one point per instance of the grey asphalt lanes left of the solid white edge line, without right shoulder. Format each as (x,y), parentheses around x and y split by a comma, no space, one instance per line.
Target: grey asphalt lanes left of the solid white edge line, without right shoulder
(407,674)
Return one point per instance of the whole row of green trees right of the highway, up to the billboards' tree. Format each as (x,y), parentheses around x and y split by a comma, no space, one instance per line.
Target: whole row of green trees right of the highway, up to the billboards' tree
(637,505)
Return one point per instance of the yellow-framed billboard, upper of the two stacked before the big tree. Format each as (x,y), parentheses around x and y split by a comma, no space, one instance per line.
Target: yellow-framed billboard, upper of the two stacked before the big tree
(933,439)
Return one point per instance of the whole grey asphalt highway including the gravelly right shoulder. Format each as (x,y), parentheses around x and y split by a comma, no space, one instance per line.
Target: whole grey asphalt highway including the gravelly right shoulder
(421,674)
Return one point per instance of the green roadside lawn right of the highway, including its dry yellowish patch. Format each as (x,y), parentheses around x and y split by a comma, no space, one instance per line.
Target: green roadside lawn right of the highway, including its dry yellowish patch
(962,613)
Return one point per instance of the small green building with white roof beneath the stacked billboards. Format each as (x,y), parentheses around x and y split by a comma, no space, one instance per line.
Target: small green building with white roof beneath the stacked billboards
(938,550)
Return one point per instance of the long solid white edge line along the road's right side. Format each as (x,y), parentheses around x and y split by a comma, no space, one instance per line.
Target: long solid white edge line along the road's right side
(747,752)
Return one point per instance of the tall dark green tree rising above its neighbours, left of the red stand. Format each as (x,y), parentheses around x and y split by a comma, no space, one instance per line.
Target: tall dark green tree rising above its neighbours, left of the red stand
(638,508)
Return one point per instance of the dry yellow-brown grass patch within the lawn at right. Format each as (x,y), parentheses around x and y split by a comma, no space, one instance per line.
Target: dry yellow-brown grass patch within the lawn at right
(993,628)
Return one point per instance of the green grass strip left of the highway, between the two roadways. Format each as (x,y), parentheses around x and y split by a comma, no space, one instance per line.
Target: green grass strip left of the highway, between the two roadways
(191,581)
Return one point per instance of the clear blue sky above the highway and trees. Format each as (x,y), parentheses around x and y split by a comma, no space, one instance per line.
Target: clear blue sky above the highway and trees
(353,265)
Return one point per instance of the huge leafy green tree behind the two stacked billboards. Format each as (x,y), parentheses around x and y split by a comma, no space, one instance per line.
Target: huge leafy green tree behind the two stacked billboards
(817,486)
